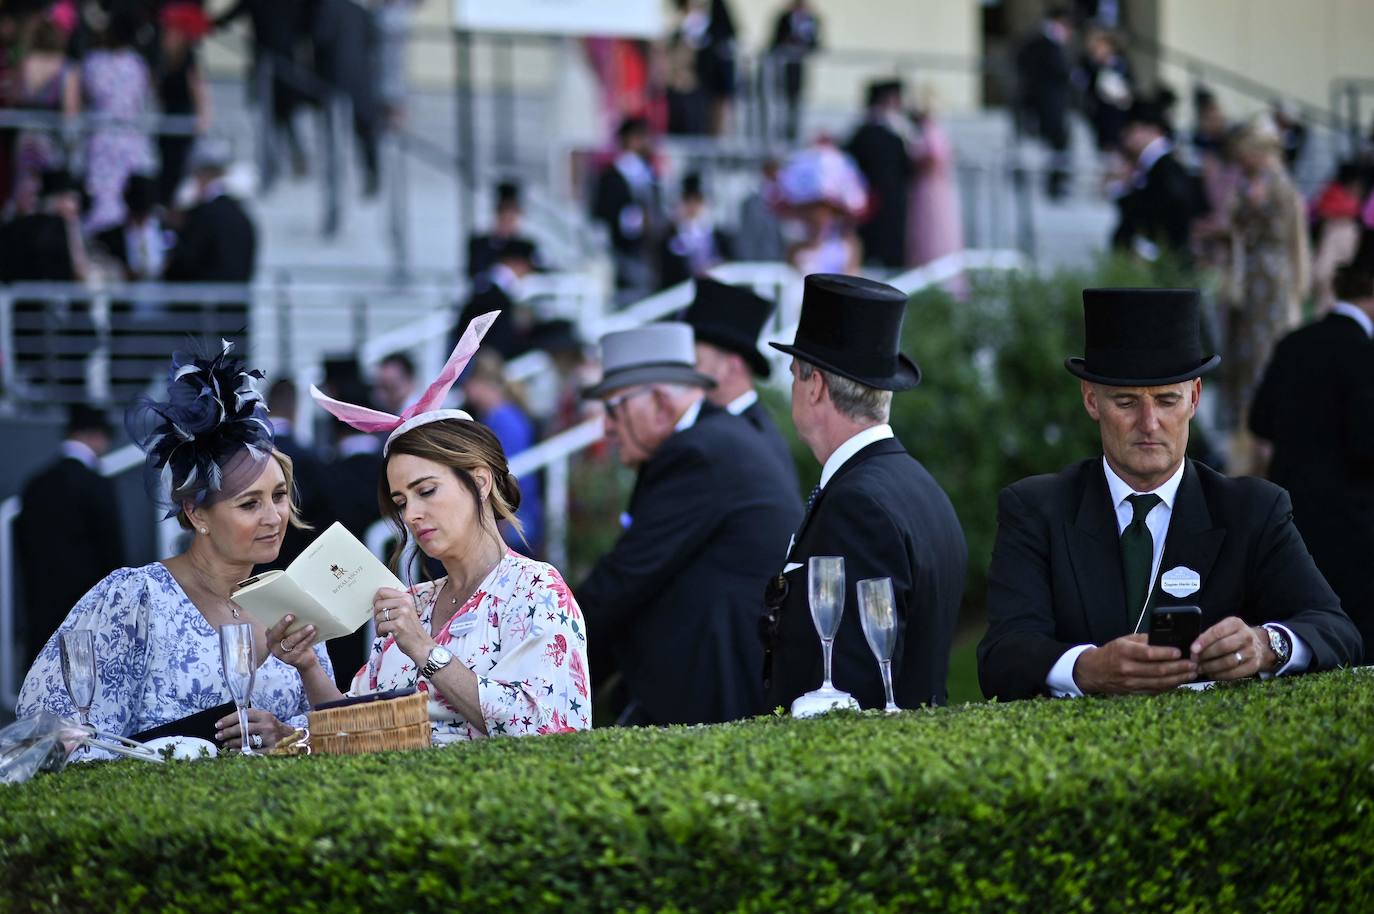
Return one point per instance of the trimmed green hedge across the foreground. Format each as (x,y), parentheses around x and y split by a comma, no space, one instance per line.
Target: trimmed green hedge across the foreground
(1254,798)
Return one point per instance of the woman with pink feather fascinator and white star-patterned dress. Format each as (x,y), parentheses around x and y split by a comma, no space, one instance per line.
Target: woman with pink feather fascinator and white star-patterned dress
(498,644)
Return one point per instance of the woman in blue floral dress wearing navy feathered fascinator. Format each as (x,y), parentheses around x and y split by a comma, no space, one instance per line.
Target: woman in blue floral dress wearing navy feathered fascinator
(211,462)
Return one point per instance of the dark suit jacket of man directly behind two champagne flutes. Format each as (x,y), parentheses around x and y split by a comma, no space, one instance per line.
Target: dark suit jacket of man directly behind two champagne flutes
(886,515)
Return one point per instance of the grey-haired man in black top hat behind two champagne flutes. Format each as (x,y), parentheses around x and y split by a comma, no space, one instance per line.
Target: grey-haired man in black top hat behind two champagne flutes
(876,506)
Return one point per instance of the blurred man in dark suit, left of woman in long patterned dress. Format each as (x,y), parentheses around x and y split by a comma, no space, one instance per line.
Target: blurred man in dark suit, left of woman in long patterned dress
(1162,200)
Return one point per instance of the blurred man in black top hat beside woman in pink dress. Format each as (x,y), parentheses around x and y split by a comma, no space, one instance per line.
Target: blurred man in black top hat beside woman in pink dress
(880,151)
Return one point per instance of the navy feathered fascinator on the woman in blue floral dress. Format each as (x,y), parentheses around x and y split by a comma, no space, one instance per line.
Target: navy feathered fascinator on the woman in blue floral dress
(210,439)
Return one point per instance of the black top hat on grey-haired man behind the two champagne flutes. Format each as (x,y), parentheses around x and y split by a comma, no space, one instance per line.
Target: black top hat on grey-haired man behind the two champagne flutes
(853,326)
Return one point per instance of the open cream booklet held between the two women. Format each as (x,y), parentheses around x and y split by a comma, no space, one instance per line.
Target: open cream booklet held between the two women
(329,586)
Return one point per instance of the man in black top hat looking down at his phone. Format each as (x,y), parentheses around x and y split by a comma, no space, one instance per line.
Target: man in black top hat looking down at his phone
(1085,556)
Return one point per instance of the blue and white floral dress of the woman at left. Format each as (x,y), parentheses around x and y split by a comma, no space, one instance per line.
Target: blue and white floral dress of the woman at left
(157,660)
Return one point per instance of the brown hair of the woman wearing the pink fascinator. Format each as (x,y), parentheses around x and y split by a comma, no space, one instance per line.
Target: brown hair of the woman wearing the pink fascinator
(462,446)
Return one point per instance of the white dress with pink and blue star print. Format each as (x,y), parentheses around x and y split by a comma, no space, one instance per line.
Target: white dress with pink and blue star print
(526,640)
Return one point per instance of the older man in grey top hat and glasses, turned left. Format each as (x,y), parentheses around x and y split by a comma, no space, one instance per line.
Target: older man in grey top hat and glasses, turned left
(675,603)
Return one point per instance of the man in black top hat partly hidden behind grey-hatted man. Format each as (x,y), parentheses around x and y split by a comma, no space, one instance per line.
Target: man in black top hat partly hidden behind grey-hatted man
(728,322)
